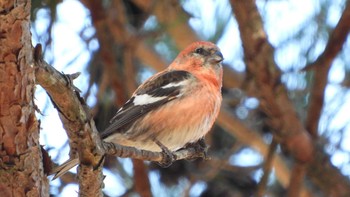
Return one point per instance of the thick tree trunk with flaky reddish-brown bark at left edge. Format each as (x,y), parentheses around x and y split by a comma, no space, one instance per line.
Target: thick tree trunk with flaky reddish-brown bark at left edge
(21,167)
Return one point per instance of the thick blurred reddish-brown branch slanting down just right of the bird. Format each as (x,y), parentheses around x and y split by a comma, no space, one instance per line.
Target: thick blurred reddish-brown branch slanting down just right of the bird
(271,92)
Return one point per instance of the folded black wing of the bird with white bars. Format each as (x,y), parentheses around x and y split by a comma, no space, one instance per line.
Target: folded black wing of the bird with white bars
(155,92)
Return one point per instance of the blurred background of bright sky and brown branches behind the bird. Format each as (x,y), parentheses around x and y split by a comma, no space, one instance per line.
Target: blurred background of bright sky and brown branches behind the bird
(117,44)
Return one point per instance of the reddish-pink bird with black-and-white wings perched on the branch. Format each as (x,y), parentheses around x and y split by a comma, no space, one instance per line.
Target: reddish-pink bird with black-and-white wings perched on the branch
(173,108)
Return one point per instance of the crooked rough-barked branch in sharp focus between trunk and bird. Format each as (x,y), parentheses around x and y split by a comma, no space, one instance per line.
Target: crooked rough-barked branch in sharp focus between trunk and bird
(84,139)
